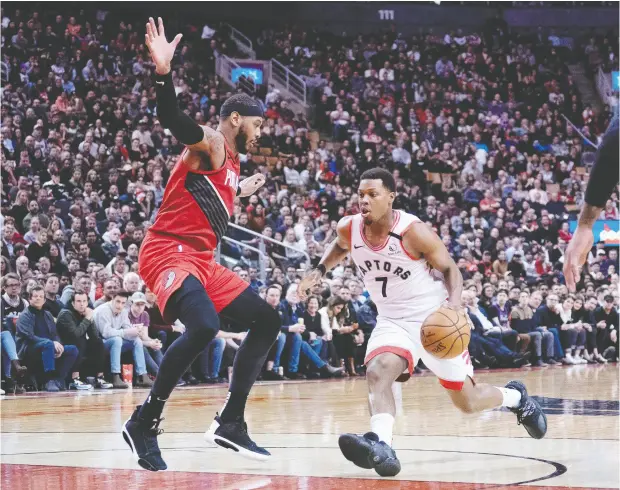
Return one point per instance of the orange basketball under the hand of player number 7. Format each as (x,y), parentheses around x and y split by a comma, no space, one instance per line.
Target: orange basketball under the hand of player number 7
(445,334)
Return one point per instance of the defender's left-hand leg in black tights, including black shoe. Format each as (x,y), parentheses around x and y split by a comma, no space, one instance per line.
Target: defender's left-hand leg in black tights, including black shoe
(193,307)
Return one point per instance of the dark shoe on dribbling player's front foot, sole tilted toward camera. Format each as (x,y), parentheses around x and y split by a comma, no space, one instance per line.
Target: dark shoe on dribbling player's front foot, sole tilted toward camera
(368,452)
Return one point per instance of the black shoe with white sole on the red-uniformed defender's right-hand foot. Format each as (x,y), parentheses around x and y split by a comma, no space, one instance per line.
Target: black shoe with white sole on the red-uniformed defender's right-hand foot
(234,435)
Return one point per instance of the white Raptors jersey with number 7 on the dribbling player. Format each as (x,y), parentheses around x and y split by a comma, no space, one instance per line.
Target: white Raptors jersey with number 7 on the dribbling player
(402,287)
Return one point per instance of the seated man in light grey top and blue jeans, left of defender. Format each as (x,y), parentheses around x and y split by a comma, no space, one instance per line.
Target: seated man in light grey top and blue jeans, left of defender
(120,336)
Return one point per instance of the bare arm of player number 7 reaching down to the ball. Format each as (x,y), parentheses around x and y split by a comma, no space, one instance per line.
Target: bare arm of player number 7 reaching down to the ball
(421,241)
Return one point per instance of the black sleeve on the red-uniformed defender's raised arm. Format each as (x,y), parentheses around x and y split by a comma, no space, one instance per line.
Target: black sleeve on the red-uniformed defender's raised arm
(180,125)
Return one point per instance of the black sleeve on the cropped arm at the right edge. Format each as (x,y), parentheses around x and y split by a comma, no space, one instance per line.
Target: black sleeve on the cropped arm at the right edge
(604,174)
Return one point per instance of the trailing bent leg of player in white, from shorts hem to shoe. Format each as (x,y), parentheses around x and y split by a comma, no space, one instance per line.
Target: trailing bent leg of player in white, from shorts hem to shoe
(456,375)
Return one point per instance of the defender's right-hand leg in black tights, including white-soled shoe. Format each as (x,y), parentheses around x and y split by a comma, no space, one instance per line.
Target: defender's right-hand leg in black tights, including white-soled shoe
(229,429)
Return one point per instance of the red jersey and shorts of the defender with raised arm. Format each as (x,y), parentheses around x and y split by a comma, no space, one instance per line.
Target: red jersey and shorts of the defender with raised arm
(192,219)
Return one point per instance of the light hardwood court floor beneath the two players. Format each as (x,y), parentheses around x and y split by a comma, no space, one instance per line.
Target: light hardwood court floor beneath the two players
(72,441)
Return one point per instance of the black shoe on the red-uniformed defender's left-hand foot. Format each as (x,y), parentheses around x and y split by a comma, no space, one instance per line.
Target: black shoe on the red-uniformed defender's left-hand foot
(141,437)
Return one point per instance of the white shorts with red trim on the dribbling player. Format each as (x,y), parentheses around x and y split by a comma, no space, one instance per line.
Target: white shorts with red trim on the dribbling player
(402,338)
